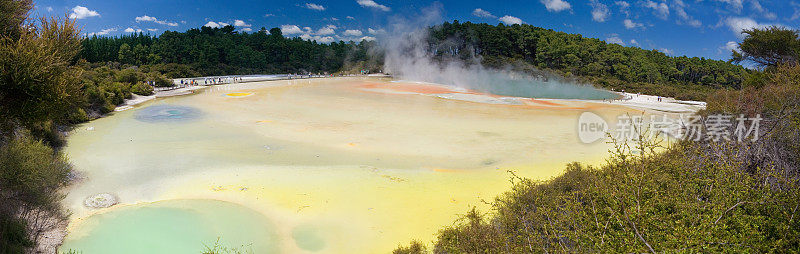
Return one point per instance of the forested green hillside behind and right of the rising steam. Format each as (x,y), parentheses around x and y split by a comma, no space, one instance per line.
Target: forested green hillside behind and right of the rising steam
(527,47)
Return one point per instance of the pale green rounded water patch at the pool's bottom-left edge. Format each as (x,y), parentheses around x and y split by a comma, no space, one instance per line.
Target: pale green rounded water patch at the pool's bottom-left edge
(177,226)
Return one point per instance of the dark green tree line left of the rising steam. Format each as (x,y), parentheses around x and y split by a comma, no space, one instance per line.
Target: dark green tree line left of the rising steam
(221,51)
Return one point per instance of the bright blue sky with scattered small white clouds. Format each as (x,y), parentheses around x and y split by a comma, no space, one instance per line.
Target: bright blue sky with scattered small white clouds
(706,28)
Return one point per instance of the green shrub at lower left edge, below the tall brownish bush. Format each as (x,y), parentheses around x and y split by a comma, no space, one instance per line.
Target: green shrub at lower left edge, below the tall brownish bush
(32,176)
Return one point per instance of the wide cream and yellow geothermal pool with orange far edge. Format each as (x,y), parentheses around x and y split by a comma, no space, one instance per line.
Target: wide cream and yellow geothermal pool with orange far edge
(338,165)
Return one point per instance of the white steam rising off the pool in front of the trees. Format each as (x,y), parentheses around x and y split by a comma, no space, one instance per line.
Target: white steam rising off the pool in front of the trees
(409,56)
